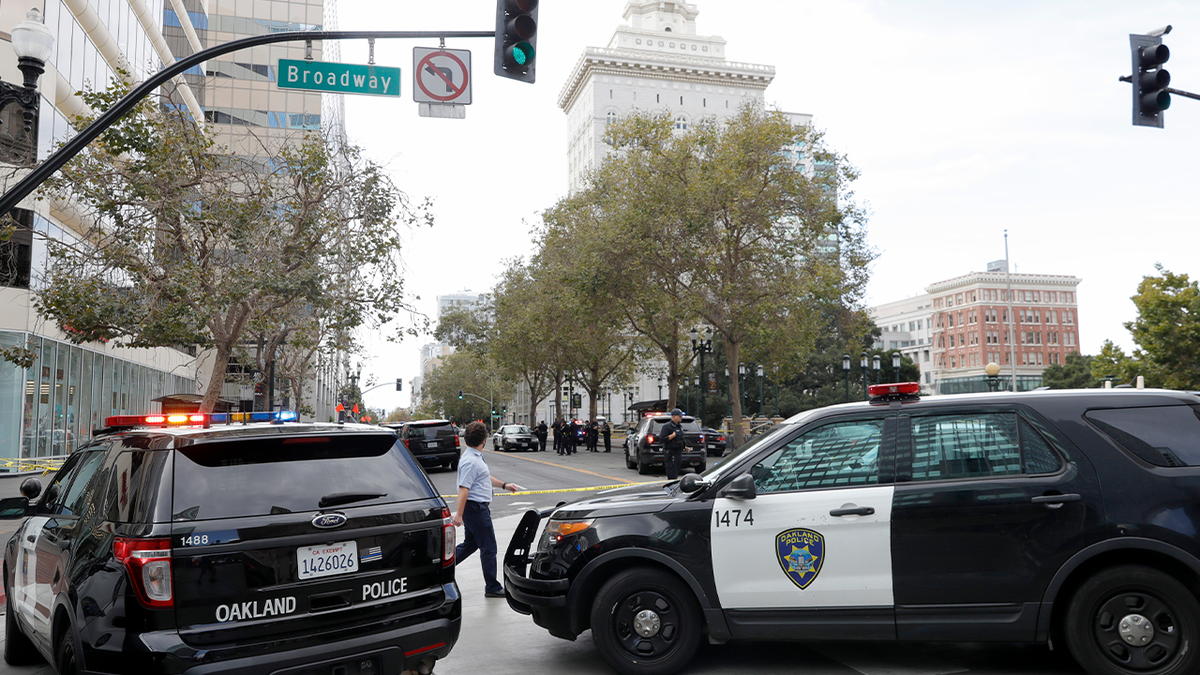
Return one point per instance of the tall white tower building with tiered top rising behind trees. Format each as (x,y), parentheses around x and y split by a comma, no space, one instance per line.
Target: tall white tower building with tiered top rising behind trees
(658,63)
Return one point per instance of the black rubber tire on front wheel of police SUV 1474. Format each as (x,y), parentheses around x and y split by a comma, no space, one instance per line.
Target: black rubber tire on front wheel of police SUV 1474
(683,616)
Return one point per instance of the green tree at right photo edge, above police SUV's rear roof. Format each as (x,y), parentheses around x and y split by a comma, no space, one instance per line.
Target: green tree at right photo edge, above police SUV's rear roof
(1168,331)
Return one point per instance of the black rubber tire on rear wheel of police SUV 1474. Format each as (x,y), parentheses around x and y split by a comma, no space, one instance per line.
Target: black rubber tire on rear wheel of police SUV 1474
(1174,599)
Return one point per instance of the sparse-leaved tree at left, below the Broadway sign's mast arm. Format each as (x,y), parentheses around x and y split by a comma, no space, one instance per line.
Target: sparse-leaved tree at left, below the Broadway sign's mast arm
(193,246)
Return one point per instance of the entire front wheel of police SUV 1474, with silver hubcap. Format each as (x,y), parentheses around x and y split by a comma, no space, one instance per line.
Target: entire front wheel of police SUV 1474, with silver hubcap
(646,623)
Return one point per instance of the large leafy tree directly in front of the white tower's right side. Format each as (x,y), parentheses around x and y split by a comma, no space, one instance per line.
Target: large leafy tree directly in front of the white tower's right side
(758,243)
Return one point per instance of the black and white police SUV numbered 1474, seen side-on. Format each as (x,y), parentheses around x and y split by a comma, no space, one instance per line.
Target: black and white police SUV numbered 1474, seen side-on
(1065,517)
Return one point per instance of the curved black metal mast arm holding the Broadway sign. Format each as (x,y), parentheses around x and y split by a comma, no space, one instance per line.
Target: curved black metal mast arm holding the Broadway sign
(35,178)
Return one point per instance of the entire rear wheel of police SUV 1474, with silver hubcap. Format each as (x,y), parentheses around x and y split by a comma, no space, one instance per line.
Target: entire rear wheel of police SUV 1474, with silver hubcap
(1135,620)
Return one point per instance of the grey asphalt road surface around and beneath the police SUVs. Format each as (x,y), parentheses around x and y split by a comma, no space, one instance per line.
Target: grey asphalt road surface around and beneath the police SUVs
(497,641)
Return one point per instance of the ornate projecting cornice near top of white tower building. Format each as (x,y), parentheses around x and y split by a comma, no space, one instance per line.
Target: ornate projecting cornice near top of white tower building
(655,65)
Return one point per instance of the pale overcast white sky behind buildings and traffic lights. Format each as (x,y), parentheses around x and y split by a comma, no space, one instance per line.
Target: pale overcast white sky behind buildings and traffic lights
(965,118)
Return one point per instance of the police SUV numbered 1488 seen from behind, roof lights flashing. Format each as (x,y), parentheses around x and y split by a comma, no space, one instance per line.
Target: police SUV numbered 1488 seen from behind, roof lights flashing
(187,543)
